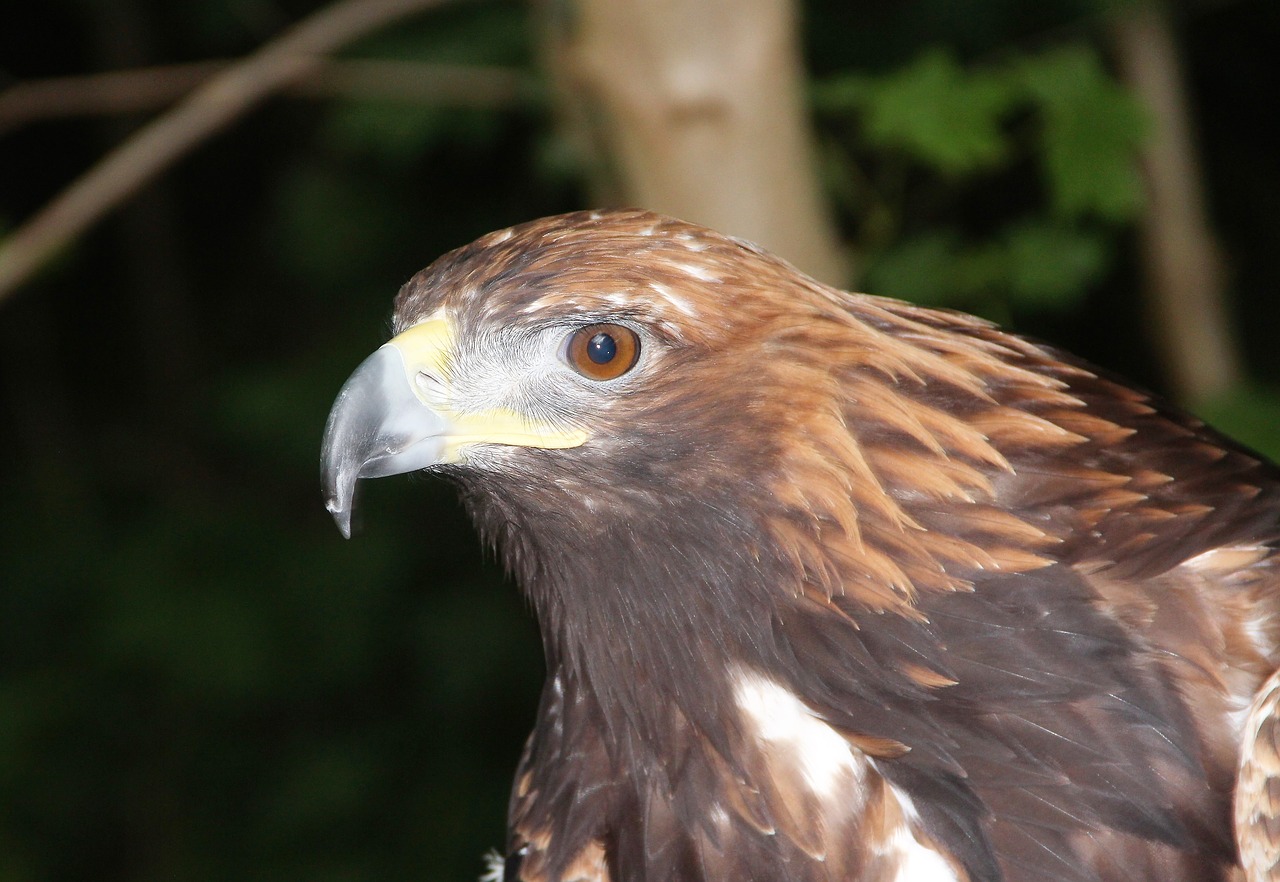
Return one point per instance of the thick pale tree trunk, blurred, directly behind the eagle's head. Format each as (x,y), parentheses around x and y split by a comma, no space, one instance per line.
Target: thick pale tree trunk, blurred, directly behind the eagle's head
(696,108)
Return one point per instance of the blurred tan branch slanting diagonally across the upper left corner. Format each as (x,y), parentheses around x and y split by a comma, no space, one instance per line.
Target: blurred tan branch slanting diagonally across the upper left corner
(214,106)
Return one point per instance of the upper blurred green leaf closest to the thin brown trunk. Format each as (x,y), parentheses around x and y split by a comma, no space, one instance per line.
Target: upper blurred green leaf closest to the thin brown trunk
(1092,131)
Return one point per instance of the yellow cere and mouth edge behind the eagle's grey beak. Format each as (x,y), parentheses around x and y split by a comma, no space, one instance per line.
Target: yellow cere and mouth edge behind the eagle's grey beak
(426,349)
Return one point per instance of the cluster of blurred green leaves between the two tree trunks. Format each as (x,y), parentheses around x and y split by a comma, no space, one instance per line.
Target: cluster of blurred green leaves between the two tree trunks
(938,127)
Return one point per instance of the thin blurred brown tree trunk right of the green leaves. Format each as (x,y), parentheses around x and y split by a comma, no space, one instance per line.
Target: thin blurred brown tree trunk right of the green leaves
(1181,259)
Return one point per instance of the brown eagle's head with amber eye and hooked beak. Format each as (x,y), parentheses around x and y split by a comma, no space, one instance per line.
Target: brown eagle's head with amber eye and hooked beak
(588,362)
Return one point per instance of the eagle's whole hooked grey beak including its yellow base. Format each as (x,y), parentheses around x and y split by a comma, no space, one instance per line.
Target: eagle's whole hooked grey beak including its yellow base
(395,415)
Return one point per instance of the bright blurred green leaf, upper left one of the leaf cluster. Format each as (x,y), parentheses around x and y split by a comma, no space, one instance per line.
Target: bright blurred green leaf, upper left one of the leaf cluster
(941,115)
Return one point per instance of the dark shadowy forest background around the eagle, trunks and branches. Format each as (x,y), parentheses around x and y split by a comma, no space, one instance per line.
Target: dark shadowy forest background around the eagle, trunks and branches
(199,678)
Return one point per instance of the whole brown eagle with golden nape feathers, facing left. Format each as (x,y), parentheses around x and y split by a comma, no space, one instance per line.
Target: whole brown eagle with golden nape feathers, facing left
(833,587)
